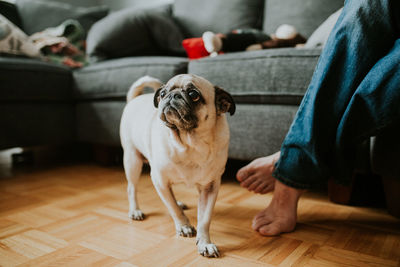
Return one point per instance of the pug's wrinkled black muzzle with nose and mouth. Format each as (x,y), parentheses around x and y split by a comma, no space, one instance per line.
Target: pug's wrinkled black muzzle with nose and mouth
(178,112)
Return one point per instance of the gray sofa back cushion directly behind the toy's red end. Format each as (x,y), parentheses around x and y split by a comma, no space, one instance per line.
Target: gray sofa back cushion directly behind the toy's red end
(220,16)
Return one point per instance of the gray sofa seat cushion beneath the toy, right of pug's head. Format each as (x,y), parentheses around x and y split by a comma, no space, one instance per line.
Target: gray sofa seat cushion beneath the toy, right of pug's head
(272,76)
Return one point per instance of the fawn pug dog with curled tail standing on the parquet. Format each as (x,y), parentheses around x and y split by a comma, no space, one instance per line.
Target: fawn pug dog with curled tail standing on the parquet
(182,131)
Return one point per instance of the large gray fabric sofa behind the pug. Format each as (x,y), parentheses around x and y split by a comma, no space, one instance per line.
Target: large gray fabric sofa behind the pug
(46,104)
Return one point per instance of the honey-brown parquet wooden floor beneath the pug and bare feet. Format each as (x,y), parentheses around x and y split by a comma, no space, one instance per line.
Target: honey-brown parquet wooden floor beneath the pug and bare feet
(77,216)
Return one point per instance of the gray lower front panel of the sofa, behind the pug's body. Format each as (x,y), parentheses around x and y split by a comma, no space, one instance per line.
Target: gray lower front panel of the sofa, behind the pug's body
(256,130)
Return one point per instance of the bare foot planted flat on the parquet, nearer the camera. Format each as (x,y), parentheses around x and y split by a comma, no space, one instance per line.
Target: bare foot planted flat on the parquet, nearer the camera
(281,214)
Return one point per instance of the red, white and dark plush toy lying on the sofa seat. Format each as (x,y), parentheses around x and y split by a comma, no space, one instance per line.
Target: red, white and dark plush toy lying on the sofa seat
(212,44)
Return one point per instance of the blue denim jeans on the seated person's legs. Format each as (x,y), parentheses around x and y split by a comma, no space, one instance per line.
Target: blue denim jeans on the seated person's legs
(354,92)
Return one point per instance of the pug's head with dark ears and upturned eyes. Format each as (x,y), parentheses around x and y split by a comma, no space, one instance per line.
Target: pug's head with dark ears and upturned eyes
(187,102)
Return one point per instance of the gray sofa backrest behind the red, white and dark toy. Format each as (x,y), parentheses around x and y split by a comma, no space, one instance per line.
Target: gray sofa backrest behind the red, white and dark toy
(197,16)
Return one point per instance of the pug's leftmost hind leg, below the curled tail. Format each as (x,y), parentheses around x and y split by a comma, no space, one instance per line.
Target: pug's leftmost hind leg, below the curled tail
(133,163)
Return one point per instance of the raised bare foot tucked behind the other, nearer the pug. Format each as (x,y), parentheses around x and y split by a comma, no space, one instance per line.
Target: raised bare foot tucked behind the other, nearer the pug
(257,175)
